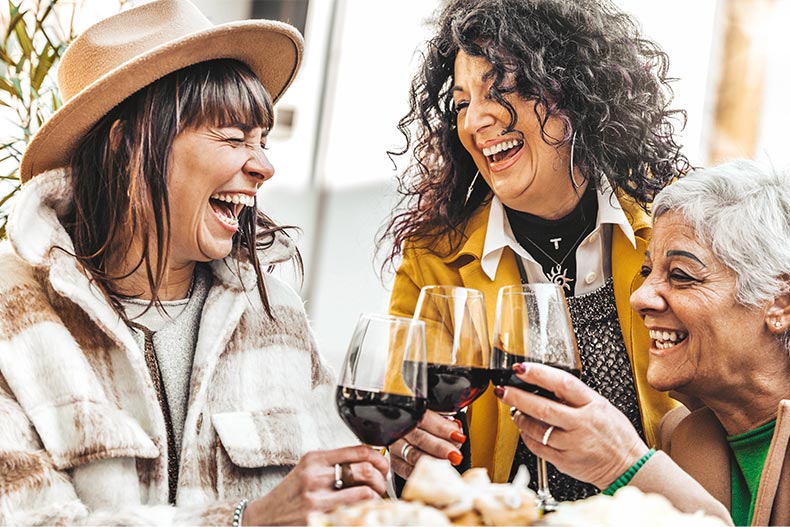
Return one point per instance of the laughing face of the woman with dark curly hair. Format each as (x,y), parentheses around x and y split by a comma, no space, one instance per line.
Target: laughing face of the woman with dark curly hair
(524,171)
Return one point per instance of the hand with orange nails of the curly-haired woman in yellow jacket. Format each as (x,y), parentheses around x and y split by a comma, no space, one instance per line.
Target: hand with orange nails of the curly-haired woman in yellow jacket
(435,436)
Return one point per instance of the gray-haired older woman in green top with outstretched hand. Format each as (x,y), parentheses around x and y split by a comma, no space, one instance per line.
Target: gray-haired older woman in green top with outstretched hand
(716,299)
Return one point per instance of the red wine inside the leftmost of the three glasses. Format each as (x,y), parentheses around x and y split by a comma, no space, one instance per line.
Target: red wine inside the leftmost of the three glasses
(378,418)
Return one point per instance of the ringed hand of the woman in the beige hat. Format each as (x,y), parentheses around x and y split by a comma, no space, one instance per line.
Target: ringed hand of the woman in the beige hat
(309,487)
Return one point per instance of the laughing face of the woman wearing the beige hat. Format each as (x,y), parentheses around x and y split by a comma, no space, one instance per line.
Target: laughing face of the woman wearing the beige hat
(214,174)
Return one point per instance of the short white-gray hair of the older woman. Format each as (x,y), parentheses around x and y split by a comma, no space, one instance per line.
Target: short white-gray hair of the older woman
(742,210)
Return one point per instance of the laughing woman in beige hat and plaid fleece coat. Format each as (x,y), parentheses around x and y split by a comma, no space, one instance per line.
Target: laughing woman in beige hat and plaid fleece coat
(151,370)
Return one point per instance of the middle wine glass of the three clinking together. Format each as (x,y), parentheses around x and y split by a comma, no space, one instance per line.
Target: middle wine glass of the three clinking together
(457,346)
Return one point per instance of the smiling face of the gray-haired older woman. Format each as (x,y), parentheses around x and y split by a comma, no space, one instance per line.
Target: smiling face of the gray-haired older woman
(701,336)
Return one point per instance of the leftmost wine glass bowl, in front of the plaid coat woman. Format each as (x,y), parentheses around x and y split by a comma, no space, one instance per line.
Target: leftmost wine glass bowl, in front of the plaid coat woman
(381,394)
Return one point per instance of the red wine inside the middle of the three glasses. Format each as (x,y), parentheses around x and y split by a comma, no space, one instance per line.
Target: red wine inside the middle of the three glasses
(451,387)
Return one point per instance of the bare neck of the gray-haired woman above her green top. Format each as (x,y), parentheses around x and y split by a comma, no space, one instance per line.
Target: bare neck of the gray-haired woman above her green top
(750,404)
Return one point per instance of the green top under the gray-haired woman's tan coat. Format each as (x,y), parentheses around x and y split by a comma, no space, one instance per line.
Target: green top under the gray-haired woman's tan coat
(750,450)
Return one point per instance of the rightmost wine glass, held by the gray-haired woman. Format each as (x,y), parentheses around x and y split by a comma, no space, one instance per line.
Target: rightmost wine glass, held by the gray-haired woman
(533,324)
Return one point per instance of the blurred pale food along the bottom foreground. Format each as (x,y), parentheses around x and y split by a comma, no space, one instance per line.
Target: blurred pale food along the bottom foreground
(436,494)
